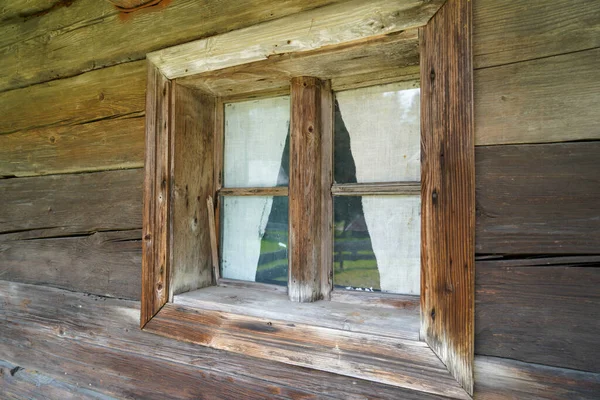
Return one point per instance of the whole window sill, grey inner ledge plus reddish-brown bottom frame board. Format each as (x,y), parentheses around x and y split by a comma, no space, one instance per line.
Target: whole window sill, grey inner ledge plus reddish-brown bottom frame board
(360,340)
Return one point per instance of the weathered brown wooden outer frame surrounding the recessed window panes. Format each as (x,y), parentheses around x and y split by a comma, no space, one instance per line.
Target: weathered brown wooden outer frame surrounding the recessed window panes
(186,86)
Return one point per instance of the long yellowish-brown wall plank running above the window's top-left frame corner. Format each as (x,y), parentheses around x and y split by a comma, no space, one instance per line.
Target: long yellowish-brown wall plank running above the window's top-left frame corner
(67,41)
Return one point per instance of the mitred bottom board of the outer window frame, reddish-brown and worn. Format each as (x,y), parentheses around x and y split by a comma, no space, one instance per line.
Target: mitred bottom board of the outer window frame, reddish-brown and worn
(376,358)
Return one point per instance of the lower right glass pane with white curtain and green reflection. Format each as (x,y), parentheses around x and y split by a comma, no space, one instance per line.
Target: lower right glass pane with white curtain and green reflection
(377,243)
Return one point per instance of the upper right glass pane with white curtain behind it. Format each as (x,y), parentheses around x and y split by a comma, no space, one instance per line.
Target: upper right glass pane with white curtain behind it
(377,135)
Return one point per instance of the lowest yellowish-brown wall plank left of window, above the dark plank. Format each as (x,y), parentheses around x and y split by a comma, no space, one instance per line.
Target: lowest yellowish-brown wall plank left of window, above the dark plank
(103,145)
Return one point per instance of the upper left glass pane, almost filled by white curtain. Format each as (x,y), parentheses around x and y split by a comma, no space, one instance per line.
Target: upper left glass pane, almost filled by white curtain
(255,143)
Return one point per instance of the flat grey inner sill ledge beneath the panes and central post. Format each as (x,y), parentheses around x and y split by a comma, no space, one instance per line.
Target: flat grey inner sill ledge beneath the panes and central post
(402,323)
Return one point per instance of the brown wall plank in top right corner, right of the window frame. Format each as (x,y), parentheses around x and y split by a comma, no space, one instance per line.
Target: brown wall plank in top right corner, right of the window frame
(506,31)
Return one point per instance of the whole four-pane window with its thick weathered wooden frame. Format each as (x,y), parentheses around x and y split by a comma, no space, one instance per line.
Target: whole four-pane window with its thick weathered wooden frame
(349,193)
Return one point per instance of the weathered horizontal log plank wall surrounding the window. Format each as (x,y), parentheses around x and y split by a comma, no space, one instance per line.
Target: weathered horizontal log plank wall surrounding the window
(71,153)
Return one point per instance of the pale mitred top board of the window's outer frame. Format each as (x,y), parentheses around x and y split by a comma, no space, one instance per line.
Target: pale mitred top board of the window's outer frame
(336,24)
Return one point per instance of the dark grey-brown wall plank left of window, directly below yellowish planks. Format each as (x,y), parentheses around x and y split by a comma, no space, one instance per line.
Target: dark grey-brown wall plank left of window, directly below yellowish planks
(64,205)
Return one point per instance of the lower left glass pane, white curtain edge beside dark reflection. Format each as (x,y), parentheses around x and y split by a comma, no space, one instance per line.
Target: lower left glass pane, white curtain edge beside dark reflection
(254,238)
